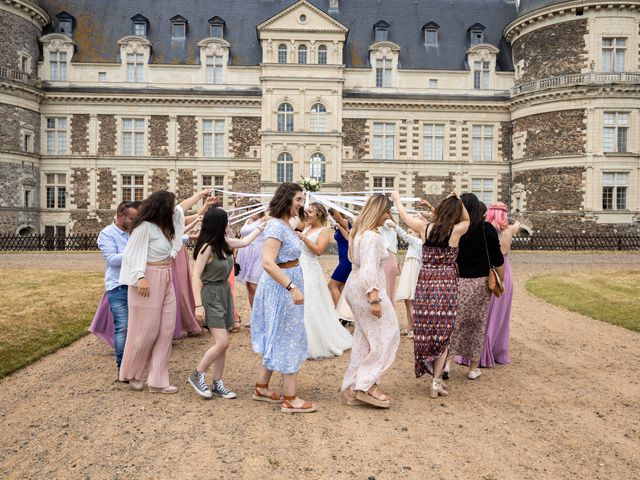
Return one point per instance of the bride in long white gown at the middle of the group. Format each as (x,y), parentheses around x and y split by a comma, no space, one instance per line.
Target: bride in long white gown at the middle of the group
(326,337)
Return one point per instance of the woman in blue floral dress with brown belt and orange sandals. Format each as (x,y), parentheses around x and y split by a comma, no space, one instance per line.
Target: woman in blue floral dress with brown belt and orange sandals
(277,321)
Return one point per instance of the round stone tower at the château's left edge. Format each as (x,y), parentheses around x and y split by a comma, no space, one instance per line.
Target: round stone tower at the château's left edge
(20,124)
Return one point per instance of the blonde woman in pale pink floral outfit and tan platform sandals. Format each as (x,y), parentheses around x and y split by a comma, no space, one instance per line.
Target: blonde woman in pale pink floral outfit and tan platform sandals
(376,336)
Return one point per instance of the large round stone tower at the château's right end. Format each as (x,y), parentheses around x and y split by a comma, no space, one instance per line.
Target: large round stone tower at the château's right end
(575,115)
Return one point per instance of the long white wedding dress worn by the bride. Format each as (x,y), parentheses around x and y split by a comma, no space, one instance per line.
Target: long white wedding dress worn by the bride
(326,337)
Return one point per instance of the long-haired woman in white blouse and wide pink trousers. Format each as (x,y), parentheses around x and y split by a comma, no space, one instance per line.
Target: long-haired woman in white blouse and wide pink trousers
(156,236)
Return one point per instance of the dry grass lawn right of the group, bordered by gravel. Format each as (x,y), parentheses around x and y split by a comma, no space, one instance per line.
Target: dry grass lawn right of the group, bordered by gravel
(612,297)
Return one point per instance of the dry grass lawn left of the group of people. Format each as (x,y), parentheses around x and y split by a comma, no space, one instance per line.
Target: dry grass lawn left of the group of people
(42,311)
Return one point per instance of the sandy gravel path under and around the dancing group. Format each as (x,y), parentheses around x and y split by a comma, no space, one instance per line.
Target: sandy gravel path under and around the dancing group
(568,407)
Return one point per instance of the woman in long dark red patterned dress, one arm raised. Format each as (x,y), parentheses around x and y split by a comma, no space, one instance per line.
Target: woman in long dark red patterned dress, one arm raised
(436,298)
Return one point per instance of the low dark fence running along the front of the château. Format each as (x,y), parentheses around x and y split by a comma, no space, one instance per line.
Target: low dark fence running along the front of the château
(538,241)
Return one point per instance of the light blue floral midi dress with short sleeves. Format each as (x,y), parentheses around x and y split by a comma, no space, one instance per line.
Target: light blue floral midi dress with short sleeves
(277,325)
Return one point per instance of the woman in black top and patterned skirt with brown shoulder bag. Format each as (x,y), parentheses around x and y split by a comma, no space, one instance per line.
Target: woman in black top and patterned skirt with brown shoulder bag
(473,294)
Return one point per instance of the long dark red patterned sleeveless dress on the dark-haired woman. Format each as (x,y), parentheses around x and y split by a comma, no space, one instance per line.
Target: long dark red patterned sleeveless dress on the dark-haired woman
(435,304)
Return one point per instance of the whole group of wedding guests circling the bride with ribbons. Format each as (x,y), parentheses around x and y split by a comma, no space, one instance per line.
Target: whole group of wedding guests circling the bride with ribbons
(443,284)
